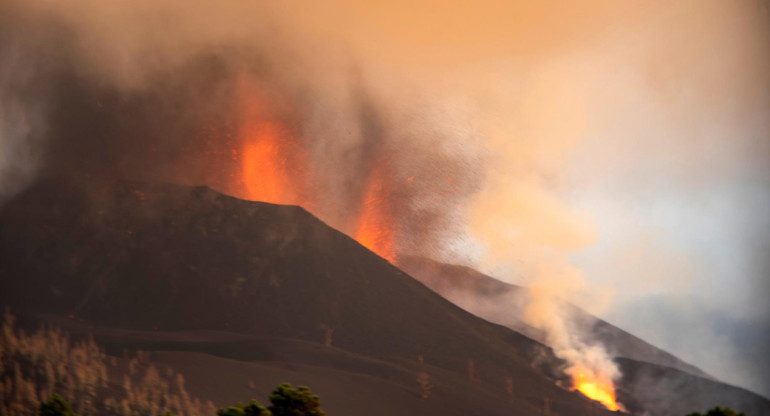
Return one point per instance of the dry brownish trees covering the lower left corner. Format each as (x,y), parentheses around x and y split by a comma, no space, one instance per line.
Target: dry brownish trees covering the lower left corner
(34,366)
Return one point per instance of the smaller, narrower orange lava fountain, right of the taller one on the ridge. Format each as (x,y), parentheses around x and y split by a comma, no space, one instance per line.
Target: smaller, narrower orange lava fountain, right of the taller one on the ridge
(375,229)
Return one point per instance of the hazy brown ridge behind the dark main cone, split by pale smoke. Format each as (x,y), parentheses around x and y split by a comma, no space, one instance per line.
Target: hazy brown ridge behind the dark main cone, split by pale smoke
(503,303)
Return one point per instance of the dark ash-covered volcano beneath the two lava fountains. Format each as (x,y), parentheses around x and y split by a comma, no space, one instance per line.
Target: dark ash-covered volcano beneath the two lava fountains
(235,293)
